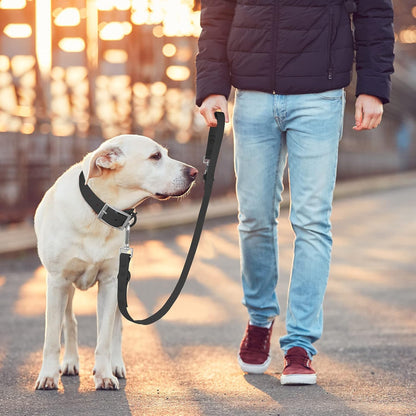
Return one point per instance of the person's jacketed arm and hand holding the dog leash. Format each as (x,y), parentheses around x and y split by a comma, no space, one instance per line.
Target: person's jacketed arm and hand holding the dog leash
(213,73)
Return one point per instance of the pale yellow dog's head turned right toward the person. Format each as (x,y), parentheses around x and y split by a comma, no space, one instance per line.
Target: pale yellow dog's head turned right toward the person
(140,167)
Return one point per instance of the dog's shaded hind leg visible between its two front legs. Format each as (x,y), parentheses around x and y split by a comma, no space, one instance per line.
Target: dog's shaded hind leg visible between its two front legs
(70,363)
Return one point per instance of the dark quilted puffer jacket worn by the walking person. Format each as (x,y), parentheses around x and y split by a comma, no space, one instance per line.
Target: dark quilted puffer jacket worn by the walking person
(294,46)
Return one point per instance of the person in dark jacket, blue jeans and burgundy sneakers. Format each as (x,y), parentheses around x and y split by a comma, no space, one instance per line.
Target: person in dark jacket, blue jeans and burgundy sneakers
(289,61)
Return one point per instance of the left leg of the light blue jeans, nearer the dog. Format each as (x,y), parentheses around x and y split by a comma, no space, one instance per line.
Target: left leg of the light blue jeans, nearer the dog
(260,157)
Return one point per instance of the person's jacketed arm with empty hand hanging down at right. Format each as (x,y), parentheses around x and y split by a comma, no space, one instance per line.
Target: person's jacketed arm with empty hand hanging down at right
(374,40)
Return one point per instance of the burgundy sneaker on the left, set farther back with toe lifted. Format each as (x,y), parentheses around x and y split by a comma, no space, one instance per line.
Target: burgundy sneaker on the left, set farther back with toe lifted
(254,354)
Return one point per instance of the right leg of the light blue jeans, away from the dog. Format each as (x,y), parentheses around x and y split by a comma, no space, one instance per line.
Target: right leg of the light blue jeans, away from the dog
(314,128)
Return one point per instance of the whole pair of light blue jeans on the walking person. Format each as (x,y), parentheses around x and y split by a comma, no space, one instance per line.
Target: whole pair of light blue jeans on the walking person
(303,130)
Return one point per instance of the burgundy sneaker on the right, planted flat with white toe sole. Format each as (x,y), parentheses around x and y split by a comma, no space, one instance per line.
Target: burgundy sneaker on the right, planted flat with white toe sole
(298,368)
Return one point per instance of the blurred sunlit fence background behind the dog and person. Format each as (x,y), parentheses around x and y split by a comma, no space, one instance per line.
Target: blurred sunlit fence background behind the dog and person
(73,73)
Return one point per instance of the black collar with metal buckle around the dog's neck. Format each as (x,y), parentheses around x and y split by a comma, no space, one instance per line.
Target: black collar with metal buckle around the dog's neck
(110,215)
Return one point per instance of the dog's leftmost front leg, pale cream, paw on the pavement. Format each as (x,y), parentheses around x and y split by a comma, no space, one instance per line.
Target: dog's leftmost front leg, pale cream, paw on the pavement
(56,299)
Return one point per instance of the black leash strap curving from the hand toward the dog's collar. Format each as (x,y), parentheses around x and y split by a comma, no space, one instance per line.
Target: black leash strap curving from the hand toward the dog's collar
(211,157)
